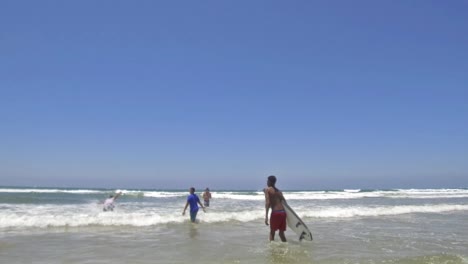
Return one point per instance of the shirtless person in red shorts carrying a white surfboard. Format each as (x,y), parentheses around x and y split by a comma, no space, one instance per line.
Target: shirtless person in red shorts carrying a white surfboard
(273,200)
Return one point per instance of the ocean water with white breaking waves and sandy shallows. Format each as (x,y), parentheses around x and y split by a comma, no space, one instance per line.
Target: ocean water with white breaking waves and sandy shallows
(63,225)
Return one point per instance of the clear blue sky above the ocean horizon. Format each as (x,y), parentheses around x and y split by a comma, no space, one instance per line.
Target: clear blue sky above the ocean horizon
(172,94)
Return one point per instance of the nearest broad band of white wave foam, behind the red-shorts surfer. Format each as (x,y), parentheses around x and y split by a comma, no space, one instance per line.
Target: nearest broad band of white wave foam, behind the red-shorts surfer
(43,216)
